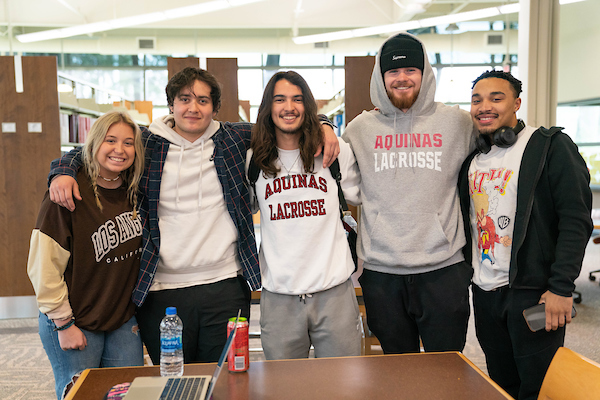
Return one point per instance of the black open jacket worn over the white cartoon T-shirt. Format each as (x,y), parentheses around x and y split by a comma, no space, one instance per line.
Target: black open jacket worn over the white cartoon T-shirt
(553,219)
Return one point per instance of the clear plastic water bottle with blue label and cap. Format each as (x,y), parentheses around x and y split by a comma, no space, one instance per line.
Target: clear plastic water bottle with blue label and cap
(171,346)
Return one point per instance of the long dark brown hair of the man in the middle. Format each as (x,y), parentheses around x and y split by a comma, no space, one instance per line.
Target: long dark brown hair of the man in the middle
(264,143)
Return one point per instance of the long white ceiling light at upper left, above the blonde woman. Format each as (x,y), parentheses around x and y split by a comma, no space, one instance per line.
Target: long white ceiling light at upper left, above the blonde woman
(174,13)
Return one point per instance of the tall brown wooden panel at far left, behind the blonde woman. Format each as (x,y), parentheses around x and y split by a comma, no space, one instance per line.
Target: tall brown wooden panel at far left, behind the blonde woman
(24,161)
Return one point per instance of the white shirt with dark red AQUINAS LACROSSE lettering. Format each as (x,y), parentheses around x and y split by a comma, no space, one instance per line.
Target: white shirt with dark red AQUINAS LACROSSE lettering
(303,245)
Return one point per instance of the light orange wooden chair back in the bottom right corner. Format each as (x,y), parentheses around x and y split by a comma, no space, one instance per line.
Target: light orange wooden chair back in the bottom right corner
(570,377)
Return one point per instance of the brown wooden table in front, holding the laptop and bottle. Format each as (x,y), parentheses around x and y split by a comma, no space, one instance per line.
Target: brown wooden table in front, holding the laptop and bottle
(410,376)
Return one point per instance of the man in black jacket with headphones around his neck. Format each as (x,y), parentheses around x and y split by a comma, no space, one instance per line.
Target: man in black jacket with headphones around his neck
(526,204)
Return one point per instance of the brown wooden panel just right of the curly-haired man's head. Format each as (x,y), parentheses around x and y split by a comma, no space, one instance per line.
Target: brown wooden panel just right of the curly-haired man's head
(225,70)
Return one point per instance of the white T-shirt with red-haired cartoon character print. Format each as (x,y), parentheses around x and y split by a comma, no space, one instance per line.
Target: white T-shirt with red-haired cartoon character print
(493,180)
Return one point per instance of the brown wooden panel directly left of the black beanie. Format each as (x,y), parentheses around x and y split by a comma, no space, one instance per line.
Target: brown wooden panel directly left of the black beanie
(358,82)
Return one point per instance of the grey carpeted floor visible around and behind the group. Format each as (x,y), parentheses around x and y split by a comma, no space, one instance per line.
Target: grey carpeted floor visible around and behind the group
(25,372)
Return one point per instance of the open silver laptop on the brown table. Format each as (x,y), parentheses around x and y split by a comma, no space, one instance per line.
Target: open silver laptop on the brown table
(192,387)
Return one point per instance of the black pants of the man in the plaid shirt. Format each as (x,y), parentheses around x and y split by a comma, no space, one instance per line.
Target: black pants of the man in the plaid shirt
(204,311)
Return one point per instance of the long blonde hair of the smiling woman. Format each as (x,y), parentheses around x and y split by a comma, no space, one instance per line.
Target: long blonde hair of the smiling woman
(132,175)
